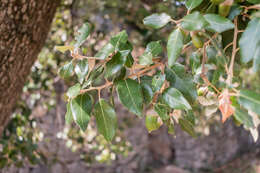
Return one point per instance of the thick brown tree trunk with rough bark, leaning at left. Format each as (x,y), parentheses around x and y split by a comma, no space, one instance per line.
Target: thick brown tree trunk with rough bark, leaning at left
(24,26)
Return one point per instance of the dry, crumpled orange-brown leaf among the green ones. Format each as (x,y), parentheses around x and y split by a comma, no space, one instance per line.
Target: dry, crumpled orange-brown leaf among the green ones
(225,105)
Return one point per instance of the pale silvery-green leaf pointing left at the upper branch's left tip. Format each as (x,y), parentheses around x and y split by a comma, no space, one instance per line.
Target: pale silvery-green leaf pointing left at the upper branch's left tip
(156,20)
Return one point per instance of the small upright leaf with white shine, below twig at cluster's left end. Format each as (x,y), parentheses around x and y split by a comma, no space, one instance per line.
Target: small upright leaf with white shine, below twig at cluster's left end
(81,69)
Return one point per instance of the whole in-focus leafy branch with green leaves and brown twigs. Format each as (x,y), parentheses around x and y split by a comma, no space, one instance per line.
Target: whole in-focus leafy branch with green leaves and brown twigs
(214,31)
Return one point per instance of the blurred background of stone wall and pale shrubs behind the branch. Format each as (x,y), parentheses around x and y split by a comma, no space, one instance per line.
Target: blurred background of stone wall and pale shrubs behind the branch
(38,141)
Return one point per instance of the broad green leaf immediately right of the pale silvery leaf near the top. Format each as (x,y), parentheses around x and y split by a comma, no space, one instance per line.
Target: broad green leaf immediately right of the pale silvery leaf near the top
(194,21)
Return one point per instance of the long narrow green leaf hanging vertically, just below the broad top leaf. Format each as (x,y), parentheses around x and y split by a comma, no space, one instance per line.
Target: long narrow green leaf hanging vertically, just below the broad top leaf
(174,46)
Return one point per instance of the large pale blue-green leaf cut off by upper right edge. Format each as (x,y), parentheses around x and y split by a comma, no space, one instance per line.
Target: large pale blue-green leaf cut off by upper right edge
(249,41)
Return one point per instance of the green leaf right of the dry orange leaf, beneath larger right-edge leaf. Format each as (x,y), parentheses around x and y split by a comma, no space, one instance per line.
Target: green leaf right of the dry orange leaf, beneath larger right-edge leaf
(243,118)
